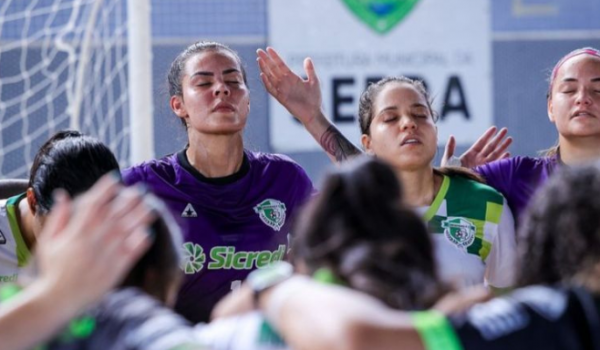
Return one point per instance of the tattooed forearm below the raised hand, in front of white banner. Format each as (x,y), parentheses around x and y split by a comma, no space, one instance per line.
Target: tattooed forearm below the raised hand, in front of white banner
(336,145)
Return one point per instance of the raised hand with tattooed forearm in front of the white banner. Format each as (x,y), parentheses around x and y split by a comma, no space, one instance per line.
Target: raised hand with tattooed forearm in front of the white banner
(302,98)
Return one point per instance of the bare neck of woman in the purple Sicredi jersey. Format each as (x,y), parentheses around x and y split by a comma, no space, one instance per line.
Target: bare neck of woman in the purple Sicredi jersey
(215,155)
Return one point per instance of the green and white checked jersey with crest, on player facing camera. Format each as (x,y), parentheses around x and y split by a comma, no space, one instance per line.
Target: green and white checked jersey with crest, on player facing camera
(473,232)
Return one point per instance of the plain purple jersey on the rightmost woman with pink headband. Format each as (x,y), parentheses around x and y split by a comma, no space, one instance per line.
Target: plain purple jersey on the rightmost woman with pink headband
(518,178)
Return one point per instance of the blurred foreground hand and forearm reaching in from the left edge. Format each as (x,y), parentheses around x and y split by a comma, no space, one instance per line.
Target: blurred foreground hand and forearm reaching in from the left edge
(80,257)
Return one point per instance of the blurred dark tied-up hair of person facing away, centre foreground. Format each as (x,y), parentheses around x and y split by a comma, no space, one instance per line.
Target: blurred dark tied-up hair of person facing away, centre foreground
(360,229)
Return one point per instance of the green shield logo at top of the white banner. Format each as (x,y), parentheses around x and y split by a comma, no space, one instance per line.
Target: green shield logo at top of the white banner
(381,15)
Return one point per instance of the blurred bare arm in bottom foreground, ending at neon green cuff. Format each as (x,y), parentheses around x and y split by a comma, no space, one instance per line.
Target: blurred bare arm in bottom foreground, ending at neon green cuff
(323,317)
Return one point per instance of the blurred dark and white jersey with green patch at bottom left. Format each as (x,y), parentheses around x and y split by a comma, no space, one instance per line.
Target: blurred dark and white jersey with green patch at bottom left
(126,319)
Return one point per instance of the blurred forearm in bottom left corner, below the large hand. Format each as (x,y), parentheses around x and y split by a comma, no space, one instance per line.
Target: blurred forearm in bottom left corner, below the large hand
(33,316)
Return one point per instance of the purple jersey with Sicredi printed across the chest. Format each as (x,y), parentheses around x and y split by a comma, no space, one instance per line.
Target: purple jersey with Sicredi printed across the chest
(231,225)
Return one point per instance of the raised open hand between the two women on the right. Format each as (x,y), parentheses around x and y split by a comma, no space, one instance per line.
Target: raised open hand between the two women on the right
(489,147)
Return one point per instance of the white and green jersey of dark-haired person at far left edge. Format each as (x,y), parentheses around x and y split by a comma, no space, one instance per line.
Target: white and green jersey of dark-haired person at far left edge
(13,250)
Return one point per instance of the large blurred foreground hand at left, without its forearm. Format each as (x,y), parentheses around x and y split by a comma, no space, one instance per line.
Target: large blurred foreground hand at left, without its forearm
(89,244)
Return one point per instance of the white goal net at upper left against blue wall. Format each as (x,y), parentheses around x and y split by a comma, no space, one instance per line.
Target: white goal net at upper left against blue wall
(63,64)
